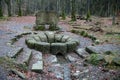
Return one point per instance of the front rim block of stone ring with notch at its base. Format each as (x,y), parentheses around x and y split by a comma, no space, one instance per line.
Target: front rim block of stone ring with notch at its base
(58,48)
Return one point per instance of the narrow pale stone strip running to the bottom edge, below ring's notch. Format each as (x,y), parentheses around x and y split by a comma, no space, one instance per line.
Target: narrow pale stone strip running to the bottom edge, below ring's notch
(67,72)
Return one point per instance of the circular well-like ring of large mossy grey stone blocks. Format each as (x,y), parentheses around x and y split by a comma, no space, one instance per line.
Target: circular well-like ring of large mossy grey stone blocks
(49,42)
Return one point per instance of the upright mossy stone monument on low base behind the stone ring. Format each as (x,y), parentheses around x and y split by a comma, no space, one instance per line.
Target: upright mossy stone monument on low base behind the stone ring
(46,20)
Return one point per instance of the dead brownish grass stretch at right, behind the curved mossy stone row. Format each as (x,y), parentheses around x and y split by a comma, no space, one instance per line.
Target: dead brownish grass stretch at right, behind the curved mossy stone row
(105,25)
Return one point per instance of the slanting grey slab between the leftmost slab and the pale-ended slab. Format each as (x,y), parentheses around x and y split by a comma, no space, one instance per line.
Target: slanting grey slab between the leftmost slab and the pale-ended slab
(24,57)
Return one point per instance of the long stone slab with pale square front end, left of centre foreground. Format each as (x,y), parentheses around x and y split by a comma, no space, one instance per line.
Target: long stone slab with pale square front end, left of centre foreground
(36,63)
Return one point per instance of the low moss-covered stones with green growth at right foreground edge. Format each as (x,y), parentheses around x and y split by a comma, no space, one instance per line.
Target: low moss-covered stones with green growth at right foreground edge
(108,59)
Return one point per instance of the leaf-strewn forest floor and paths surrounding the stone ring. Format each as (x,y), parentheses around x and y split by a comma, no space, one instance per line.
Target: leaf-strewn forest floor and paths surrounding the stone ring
(74,69)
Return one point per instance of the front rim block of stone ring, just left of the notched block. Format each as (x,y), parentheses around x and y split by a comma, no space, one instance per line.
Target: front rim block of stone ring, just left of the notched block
(43,47)
